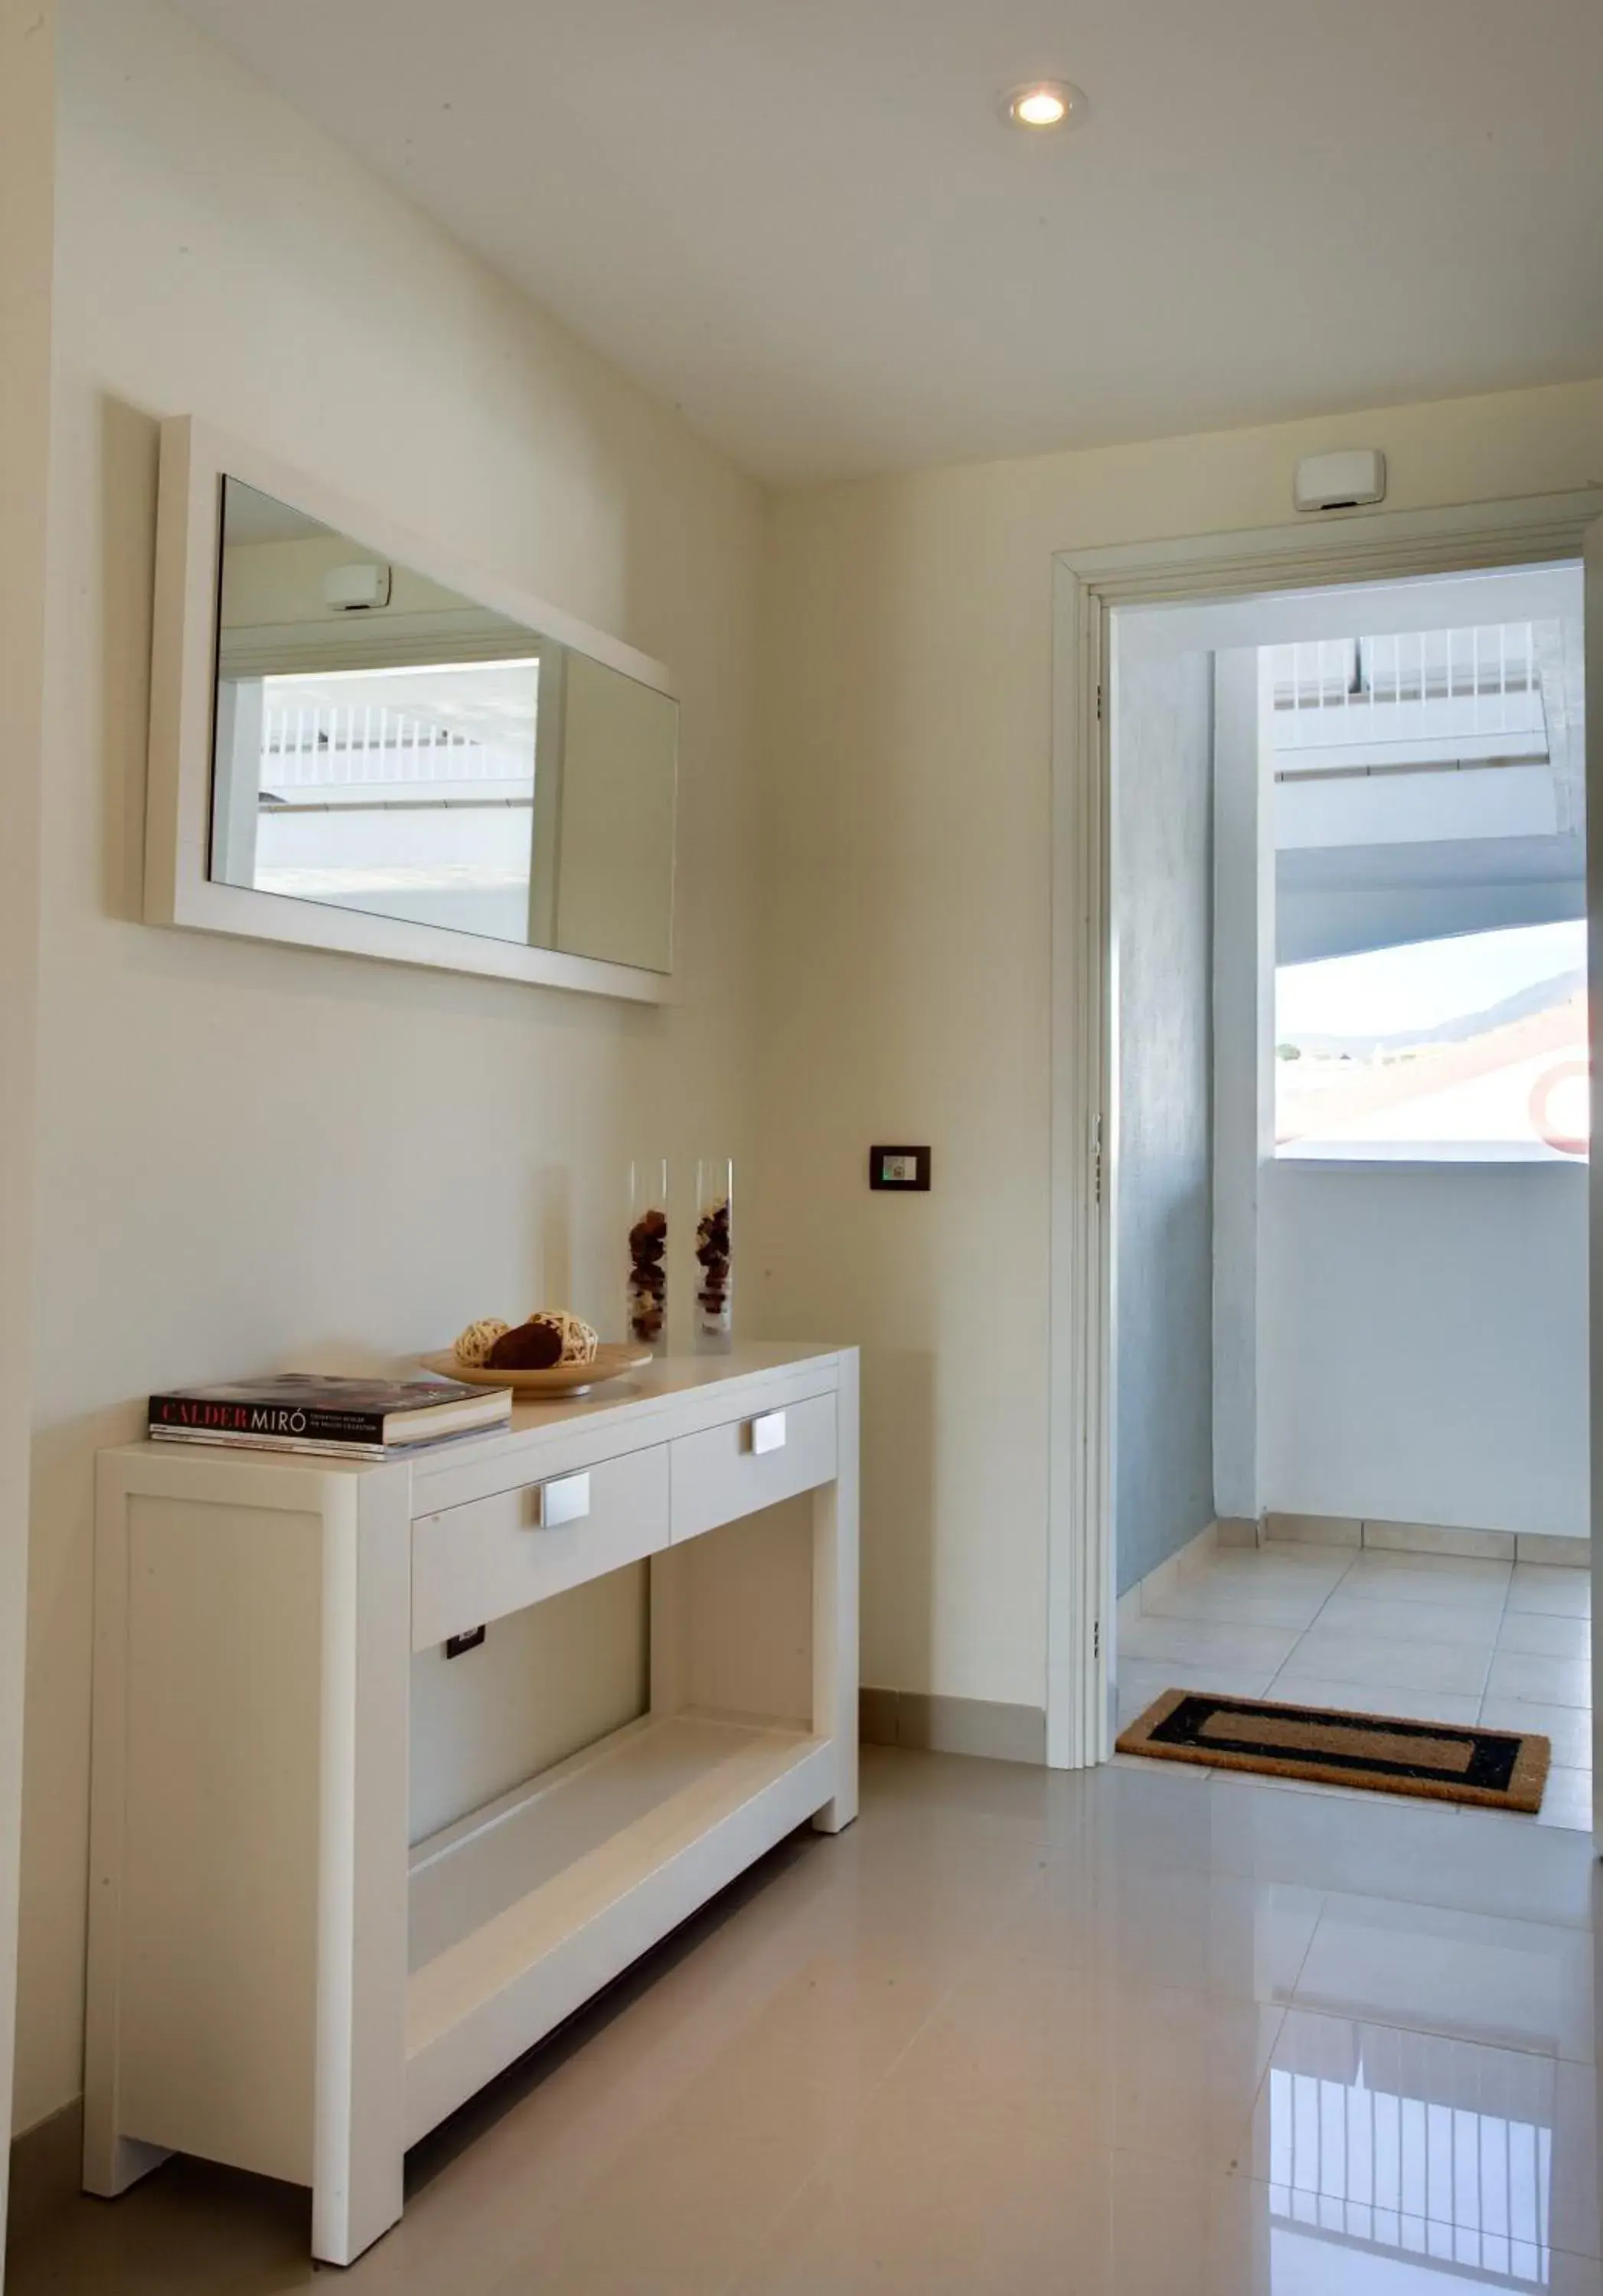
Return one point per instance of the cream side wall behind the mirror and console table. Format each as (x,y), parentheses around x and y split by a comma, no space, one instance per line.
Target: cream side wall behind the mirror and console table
(261,1154)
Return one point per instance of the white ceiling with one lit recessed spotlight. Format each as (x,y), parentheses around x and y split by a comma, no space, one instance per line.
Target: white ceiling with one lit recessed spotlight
(803,222)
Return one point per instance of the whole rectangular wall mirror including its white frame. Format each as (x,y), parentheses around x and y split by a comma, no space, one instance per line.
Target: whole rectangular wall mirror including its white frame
(392,757)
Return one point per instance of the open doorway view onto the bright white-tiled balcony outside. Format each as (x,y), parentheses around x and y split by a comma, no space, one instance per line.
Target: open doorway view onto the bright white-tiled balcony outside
(1352,1135)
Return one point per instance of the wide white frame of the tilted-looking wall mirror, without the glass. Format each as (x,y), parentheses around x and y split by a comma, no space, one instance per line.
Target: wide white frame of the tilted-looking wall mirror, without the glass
(178,819)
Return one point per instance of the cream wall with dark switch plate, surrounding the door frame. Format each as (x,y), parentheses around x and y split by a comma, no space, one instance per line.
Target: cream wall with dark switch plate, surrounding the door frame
(908,931)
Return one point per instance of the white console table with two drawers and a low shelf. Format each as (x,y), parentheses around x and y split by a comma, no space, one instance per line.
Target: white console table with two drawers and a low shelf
(277,1978)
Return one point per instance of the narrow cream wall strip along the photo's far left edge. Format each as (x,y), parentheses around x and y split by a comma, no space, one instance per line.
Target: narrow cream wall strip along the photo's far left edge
(26,183)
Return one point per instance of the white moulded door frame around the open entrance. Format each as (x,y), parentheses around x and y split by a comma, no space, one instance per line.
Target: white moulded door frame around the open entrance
(1087,587)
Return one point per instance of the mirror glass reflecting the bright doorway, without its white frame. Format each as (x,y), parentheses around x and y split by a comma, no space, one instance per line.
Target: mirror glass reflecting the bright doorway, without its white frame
(394,747)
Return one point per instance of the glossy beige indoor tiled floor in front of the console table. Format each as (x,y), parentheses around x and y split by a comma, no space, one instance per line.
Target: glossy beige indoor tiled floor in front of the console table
(1016,2033)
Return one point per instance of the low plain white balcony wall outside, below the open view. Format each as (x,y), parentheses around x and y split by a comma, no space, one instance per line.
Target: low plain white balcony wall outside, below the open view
(1425,1344)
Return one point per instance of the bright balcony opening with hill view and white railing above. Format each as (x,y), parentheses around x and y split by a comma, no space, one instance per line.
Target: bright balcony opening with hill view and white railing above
(1430,885)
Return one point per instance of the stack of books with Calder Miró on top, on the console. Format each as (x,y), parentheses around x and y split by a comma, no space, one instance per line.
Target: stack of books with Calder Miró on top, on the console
(302,1411)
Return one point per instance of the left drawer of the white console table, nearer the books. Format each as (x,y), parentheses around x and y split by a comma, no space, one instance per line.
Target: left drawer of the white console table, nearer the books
(483,1560)
